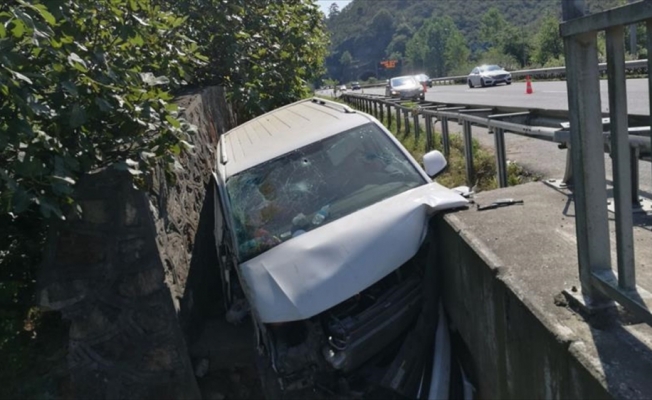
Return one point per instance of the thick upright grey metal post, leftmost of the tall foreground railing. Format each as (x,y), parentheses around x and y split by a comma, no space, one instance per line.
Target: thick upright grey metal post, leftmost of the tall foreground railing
(587,147)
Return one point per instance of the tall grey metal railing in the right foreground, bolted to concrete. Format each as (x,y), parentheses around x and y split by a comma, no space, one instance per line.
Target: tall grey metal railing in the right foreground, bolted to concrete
(600,285)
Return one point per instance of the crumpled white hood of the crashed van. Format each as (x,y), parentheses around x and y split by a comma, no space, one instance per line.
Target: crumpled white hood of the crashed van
(317,270)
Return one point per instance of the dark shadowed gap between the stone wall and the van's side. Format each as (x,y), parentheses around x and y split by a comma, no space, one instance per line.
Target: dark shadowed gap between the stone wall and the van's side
(225,350)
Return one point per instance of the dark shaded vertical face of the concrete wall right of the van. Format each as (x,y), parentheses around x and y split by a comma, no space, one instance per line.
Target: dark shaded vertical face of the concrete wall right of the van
(514,355)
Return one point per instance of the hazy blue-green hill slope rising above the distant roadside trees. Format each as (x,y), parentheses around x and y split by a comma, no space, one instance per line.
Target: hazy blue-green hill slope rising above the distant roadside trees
(372,30)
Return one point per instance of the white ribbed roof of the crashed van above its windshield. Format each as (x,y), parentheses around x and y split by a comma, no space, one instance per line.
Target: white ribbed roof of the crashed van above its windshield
(283,130)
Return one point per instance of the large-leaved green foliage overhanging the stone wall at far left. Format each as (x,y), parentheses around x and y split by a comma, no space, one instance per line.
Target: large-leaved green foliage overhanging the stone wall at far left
(85,84)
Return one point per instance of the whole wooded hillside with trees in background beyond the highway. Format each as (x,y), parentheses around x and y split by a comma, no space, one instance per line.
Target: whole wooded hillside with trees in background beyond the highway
(443,37)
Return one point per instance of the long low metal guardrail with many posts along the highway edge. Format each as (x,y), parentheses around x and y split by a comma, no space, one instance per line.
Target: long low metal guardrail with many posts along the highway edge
(545,125)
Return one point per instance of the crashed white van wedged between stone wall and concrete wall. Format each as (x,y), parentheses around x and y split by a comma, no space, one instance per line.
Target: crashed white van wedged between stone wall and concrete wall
(322,228)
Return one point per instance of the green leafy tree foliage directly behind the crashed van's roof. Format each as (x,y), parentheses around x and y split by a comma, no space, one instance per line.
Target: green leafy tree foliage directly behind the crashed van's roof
(264,51)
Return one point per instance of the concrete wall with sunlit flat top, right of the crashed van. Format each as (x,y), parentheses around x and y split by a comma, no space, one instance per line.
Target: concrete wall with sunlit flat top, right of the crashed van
(503,274)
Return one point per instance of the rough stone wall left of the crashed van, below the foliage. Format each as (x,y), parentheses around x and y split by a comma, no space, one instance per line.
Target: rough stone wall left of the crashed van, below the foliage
(131,273)
